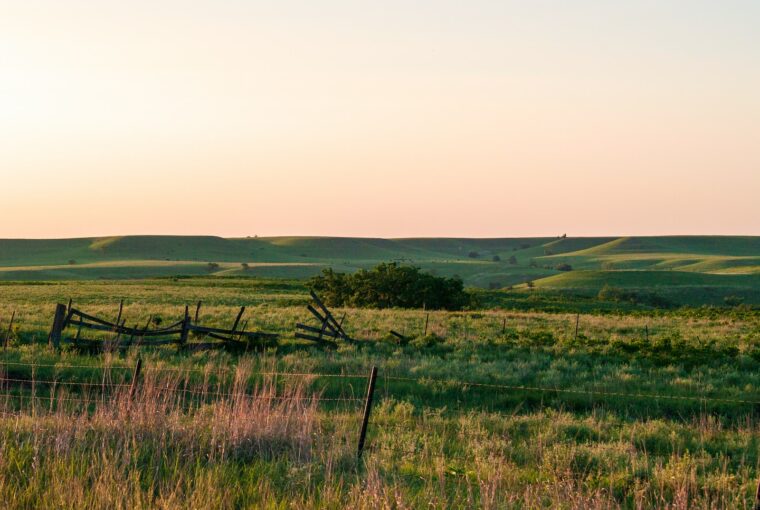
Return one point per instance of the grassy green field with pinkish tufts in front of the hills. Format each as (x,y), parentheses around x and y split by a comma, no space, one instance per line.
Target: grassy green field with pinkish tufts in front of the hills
(494,408)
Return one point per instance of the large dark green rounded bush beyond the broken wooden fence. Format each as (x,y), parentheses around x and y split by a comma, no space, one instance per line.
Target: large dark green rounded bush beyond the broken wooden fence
(390,285)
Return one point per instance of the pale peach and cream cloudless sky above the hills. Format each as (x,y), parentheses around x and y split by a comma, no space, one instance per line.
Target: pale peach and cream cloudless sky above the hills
(379,119)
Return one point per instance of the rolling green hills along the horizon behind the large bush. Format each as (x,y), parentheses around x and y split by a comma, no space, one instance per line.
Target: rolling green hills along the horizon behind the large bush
(690,265)
